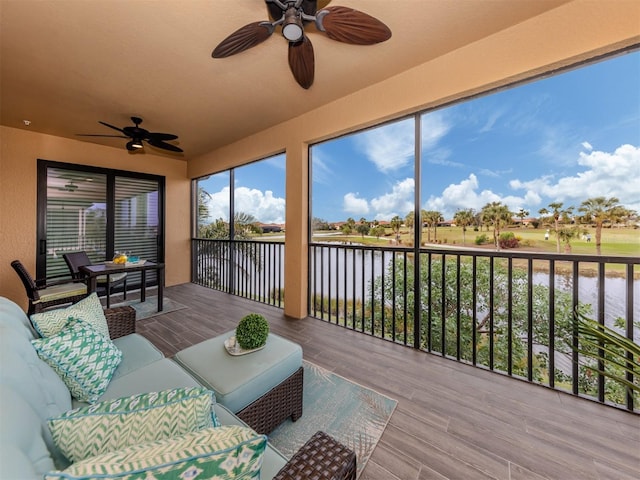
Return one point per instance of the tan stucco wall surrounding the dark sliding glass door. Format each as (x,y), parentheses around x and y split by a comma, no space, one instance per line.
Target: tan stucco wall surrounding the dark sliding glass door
(19,152)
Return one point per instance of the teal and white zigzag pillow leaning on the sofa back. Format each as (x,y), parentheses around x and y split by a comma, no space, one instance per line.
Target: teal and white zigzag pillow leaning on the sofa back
(83,358)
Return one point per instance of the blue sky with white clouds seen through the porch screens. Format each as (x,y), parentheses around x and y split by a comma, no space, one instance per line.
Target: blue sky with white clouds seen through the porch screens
(565,138)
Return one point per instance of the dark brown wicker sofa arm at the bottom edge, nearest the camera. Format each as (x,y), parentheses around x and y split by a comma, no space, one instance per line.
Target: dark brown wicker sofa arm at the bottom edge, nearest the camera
(321,458)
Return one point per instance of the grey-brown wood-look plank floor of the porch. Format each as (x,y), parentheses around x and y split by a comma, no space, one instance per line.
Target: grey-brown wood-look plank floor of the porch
(452,421)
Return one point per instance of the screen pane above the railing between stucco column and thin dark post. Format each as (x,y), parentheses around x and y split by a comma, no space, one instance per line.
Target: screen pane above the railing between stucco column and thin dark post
(364,179)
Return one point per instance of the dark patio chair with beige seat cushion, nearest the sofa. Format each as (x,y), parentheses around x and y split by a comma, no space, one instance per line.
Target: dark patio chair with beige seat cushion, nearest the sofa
(44,295)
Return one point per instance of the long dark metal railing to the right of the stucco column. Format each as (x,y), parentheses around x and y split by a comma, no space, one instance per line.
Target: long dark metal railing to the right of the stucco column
(509,312)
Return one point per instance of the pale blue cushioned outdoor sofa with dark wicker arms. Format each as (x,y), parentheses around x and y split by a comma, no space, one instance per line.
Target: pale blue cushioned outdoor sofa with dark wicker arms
(31,393)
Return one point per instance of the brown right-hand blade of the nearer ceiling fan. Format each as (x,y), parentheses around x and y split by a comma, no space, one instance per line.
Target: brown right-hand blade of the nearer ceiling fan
(351,26)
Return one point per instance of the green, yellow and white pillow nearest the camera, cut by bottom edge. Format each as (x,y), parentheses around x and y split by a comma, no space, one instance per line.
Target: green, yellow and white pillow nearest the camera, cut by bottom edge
(228,452)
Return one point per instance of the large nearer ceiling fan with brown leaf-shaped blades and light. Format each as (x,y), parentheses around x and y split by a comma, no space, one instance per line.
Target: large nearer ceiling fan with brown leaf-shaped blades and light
(338,23)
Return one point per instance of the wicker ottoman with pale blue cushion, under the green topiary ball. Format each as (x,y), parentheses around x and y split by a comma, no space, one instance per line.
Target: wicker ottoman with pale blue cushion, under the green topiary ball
(263,388)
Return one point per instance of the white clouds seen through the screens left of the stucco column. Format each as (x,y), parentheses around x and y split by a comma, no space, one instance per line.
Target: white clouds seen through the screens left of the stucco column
(262,205)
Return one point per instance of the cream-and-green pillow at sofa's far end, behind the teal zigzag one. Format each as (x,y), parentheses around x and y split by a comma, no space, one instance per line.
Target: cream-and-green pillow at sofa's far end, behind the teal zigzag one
(88,309)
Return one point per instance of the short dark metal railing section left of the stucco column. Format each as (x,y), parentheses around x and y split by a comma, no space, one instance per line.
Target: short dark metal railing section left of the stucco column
(249,269)
